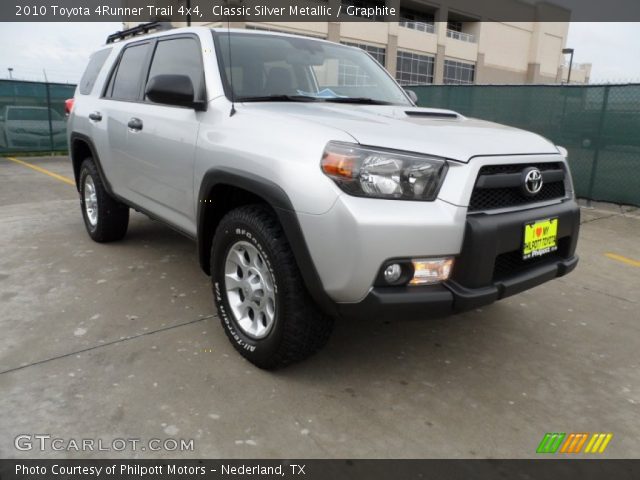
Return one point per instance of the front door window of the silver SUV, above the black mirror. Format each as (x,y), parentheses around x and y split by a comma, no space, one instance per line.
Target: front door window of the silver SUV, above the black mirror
(179,56)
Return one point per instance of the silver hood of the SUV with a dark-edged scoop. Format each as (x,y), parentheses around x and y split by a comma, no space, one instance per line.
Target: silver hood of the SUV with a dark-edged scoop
(431,131)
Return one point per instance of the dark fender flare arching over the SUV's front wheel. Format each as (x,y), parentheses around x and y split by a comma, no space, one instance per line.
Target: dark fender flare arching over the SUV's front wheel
(278,199)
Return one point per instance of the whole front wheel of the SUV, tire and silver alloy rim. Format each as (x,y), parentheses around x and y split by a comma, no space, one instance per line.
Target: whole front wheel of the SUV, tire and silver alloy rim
(262,303)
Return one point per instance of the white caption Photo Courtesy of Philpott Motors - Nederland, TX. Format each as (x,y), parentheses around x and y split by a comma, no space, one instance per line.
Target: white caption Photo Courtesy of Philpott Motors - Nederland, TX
(143,470)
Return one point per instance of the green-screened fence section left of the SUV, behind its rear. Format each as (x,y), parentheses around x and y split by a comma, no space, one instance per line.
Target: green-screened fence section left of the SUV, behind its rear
(32,117)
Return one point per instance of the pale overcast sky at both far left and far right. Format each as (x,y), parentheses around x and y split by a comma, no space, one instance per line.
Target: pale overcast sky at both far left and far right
(62,49)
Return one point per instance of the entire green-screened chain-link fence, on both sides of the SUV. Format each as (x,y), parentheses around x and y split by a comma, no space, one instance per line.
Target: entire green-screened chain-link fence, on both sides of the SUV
(599,125)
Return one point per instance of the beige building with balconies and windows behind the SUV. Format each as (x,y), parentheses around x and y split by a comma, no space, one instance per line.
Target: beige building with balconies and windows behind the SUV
(434,44)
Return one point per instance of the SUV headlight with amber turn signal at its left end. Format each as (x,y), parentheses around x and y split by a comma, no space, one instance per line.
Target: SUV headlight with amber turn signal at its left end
(370,172)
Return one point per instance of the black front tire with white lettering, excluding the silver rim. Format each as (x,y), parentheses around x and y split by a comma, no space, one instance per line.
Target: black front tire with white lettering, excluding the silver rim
(299,329)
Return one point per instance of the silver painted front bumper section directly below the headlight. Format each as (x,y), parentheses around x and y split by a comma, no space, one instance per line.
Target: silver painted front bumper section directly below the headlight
(350,242)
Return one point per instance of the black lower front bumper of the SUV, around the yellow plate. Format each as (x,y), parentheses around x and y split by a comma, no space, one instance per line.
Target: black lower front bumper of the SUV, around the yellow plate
(488,268)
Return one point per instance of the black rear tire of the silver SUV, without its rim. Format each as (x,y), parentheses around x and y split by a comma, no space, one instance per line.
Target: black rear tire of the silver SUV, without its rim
(112,215)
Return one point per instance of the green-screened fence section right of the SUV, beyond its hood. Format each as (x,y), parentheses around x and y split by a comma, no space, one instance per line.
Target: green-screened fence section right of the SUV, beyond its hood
(599,125)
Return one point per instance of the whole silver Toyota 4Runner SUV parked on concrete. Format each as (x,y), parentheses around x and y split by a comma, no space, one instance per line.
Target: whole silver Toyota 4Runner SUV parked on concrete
(313,185)
